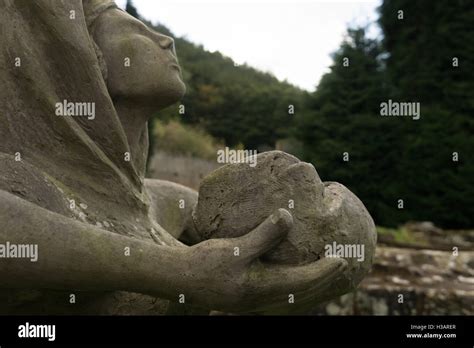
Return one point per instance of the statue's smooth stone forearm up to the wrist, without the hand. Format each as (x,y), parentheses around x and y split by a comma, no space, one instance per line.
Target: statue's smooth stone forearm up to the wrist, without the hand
(74,255)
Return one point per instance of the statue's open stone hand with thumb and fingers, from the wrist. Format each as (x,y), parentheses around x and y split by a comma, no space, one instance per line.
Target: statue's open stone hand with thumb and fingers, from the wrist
(226,275)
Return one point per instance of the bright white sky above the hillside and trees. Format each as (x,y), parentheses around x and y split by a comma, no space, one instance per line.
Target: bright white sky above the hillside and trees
(292,39)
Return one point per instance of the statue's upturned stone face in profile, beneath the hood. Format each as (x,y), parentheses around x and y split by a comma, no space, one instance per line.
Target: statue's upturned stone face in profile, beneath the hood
(141,63)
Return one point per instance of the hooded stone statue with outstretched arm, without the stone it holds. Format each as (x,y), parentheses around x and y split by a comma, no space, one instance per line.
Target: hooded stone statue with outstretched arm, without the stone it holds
(79,79)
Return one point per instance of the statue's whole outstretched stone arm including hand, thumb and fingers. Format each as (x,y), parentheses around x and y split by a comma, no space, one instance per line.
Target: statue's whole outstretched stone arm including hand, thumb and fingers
(74,255)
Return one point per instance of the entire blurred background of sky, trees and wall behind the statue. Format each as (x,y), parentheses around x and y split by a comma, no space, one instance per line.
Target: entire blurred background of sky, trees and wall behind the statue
(308,78)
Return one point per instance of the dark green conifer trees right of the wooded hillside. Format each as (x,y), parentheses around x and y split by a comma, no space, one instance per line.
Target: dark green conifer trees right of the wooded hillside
(394,158)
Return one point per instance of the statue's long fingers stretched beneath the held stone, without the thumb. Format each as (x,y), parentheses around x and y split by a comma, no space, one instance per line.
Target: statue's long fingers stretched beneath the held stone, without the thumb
(307,283)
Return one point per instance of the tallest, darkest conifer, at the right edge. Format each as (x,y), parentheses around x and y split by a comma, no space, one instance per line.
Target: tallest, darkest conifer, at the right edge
(420,67)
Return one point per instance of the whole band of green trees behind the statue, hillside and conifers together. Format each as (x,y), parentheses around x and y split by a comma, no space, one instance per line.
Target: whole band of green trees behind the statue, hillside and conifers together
(390,158)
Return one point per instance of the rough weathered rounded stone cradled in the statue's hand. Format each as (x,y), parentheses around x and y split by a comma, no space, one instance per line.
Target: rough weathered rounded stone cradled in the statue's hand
(328,219)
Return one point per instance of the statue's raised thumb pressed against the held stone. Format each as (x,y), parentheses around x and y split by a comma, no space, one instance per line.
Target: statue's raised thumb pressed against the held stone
(267,235)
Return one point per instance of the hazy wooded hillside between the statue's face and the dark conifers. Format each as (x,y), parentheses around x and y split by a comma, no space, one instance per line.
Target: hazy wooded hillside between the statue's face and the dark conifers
(238,104)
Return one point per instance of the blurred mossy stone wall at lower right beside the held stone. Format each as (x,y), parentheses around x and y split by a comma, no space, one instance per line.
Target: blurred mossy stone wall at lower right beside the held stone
(411,282)
